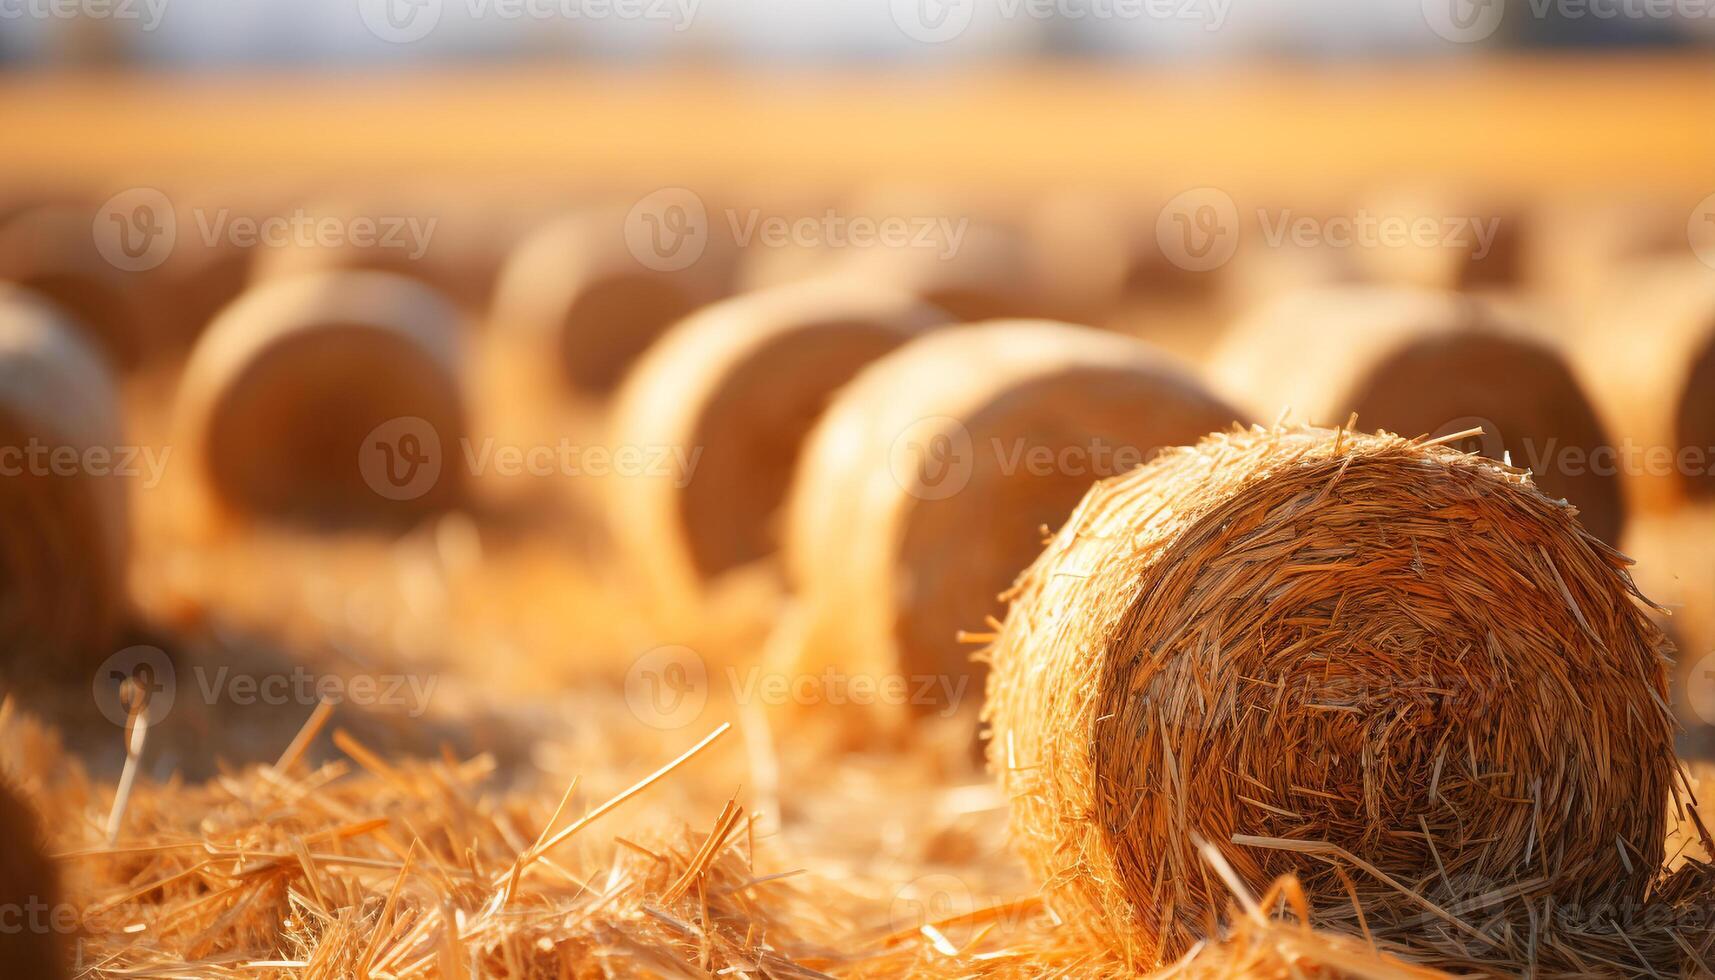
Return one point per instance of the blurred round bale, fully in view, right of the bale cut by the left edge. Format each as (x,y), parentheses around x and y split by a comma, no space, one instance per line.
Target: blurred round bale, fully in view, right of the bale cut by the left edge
(328,399)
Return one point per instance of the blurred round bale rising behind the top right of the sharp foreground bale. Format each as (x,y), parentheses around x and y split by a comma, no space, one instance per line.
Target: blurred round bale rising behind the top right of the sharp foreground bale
(1428,363)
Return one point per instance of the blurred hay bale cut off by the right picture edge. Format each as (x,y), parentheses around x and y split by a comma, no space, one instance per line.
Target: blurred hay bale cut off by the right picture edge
(1651,354)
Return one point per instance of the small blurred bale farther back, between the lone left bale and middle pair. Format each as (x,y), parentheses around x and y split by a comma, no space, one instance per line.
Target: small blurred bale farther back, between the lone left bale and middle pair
(587,308)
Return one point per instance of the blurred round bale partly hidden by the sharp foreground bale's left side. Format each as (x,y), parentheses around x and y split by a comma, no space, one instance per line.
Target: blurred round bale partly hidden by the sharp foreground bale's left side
(925,488)
